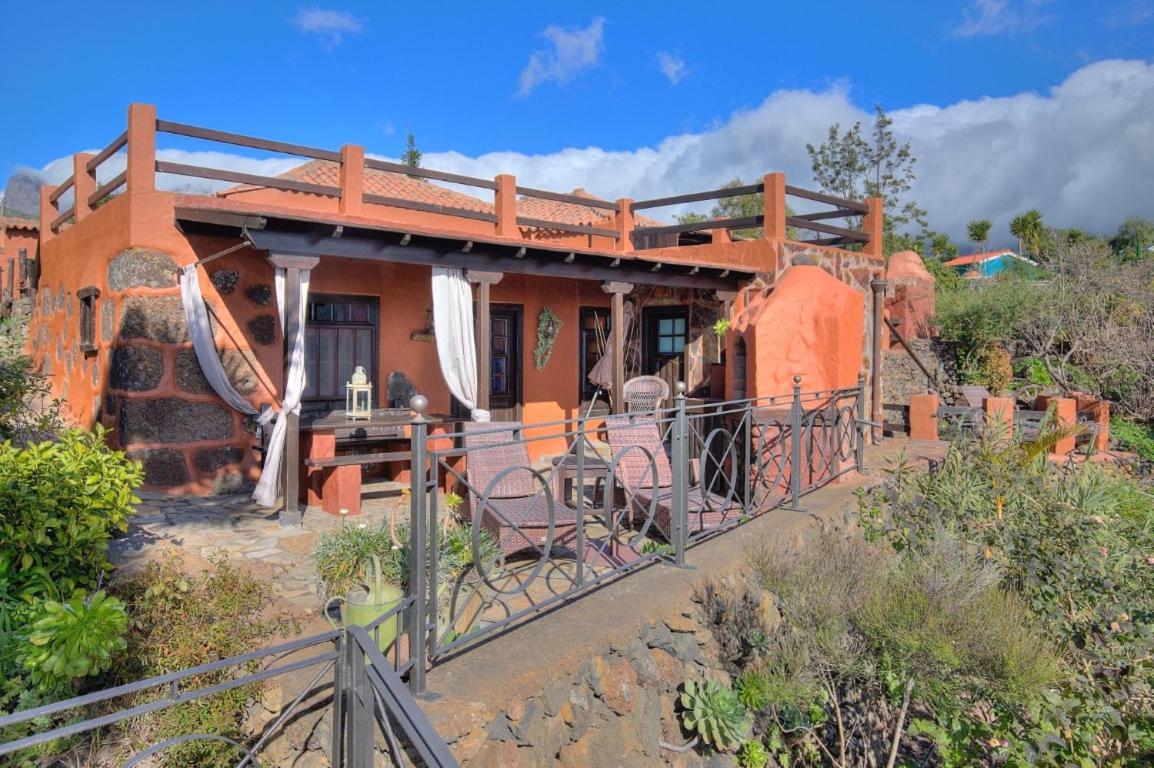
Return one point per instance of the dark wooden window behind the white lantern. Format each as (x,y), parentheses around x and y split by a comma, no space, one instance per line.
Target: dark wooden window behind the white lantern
(340,335)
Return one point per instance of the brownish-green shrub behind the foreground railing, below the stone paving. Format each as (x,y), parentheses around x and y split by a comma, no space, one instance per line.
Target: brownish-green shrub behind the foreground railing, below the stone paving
(181,621)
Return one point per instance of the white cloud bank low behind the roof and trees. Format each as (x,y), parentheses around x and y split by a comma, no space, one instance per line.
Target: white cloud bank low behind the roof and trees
(1080,153)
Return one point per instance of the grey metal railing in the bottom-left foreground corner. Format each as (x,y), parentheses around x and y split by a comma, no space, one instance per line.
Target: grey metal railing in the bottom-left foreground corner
(369,707)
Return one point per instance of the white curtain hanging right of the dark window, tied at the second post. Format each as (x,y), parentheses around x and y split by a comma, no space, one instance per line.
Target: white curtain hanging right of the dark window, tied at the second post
(456,349)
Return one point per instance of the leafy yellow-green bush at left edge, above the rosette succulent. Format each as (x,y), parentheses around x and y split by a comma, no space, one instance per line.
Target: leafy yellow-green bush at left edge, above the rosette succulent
(62,502)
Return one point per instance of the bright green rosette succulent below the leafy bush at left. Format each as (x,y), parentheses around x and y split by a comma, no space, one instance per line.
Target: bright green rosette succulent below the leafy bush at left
(73,639)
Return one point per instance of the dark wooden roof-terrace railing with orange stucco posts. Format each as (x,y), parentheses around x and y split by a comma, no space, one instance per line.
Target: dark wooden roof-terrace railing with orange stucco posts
(139,146)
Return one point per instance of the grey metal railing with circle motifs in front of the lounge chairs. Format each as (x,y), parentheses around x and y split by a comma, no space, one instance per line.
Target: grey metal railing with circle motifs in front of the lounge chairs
(658,485)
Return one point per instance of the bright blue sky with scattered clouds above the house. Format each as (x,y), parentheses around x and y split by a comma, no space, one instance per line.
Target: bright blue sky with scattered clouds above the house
(539,85)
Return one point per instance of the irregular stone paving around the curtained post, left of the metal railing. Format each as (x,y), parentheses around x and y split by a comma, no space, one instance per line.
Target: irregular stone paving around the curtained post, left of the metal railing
(199,529)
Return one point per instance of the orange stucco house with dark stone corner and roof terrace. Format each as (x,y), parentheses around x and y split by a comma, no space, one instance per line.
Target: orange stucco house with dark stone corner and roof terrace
(110,332)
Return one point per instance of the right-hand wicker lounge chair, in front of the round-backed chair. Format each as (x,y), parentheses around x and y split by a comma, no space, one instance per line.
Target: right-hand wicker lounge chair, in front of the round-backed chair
(648,485)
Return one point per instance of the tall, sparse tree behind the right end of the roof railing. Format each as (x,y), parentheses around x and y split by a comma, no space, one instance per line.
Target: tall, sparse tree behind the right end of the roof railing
(851,165)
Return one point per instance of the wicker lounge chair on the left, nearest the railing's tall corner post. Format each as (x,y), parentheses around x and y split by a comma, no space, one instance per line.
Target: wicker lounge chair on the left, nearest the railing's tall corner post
(518,510)
